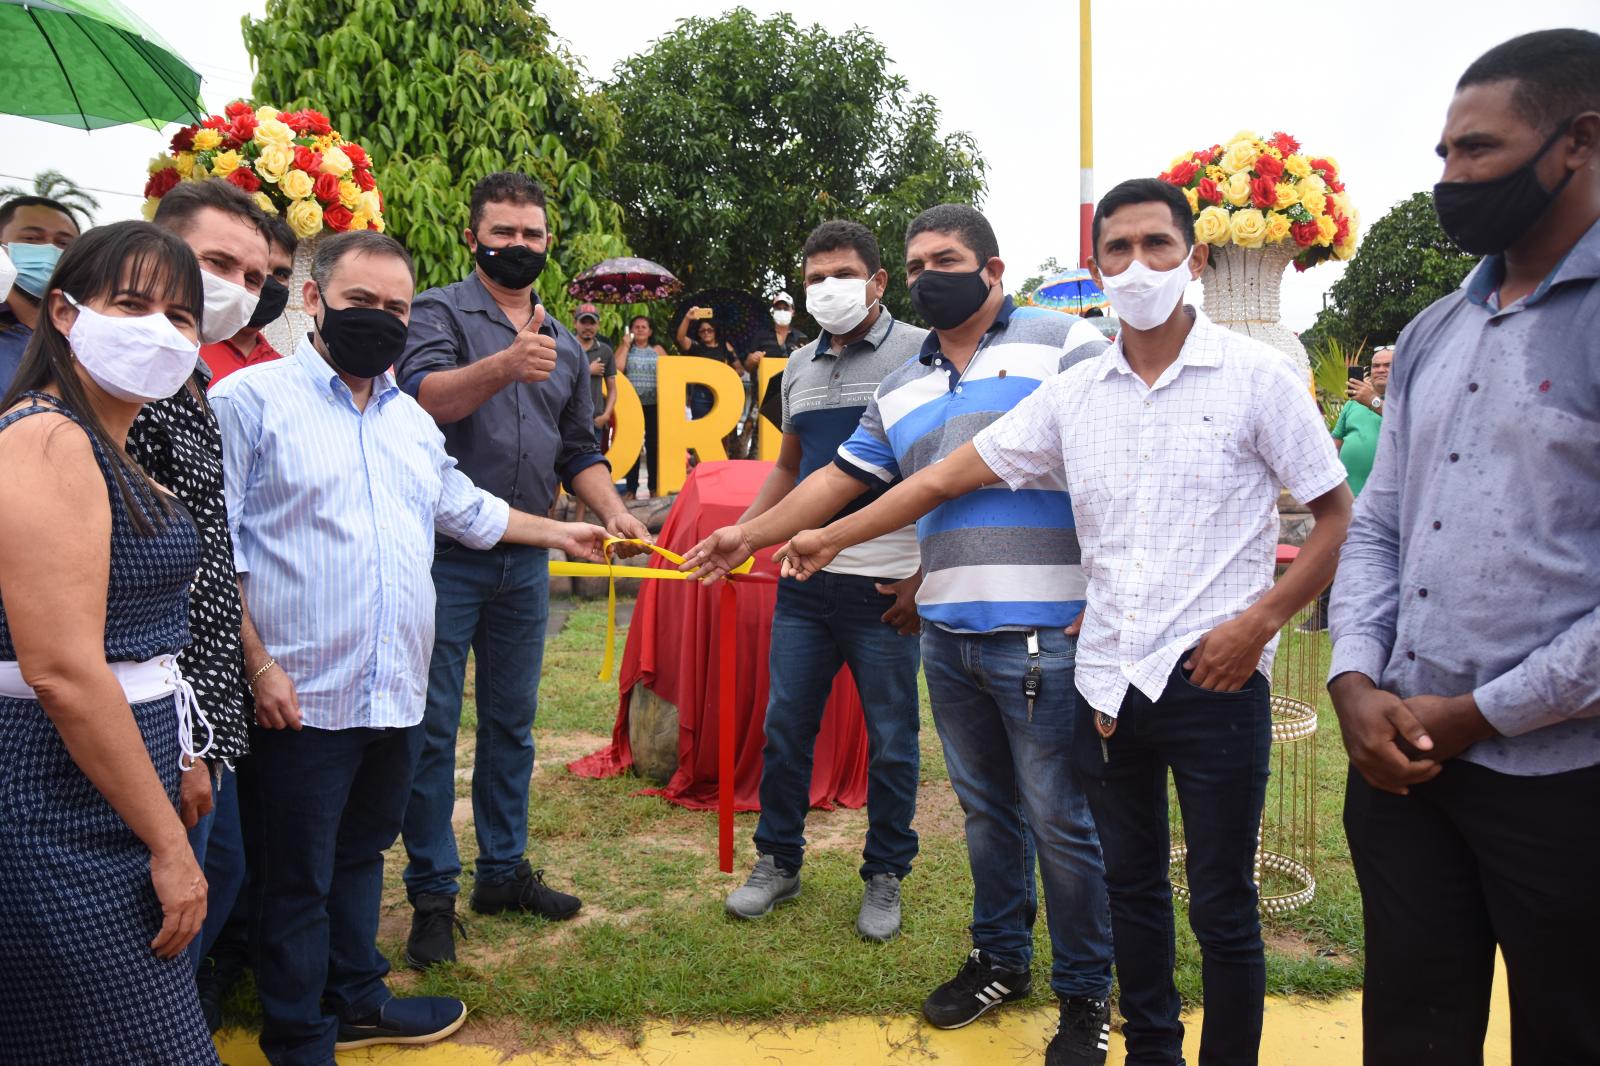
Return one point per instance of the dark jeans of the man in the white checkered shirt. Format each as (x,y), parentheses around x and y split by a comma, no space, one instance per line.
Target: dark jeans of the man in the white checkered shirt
(1218,747)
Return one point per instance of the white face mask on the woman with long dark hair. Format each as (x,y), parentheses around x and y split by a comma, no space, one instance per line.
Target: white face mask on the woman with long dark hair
(140,359)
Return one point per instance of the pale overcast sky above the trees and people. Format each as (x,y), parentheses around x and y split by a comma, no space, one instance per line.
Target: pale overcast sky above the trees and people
(1362,81)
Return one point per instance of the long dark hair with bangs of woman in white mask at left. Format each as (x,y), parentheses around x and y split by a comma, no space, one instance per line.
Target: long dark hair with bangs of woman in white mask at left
(106,260)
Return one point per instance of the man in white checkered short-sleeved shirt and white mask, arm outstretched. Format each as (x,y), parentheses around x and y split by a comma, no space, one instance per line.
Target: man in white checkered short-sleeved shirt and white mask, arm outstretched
(1174,444)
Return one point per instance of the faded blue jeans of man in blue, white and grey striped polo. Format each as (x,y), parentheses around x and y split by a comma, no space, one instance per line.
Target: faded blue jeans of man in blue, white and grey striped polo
(1012,772)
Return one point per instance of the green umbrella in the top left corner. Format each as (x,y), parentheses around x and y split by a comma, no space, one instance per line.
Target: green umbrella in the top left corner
(92,65)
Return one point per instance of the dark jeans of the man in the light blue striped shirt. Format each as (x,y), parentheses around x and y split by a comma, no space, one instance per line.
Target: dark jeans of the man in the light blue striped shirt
(330,806)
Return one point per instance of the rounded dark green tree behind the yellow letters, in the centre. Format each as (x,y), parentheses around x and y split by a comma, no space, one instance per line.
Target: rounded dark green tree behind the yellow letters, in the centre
(742,135)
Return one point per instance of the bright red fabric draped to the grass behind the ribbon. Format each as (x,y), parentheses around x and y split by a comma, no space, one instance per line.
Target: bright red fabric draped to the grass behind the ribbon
(673,651)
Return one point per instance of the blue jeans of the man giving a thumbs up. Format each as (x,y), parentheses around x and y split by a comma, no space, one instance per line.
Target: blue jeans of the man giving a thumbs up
(494,604)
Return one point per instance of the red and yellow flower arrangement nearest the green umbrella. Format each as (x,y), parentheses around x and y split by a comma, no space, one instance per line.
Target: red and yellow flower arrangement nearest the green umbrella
(294,162)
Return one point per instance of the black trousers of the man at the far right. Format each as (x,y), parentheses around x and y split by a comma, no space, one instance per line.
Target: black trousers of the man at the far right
(1466,862)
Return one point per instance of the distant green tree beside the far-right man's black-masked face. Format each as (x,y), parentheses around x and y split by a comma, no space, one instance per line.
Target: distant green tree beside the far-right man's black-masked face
(1406,265)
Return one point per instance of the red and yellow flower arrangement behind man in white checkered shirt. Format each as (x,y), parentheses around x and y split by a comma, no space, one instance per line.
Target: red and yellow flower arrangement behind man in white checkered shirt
(1255,193)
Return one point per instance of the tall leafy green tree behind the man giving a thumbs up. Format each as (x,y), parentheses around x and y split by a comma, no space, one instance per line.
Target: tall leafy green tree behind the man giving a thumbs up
(441,94)
